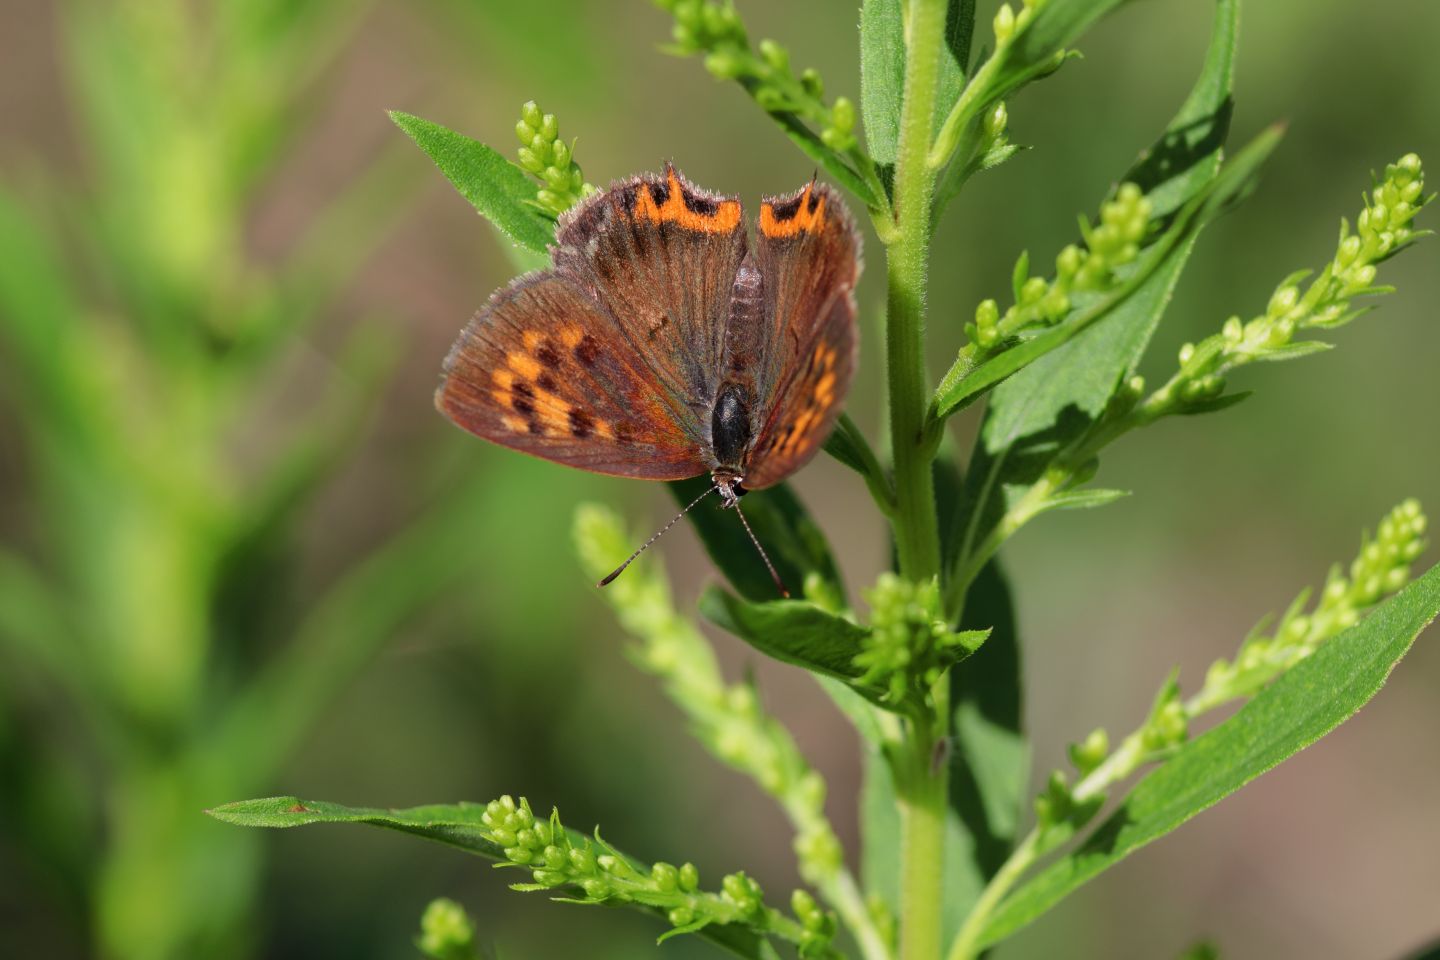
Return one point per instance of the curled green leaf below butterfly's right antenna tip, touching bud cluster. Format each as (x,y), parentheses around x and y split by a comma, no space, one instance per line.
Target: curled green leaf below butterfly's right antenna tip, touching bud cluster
(790,631)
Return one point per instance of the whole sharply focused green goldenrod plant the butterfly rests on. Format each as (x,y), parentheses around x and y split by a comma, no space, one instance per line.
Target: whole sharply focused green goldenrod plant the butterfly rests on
(927,670)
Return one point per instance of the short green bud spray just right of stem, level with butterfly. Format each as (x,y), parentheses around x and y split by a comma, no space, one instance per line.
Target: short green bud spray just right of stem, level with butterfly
(1111,244)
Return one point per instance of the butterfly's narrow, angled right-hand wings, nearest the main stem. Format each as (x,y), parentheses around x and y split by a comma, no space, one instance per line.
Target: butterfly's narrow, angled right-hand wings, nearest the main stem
(801,343)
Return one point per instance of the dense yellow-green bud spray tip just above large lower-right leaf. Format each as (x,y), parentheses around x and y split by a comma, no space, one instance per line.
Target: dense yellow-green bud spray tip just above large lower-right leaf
(1382,568)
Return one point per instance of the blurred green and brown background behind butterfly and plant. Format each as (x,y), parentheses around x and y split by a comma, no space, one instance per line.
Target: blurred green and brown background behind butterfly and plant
(243,556)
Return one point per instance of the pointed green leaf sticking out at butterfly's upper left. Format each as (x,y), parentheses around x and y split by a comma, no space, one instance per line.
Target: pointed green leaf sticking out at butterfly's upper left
(495,186)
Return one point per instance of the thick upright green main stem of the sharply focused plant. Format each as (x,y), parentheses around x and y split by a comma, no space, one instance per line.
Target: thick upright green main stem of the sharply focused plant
(915,522)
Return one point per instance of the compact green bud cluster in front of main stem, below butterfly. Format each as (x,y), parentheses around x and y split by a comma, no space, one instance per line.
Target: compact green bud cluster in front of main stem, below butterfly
(909,646)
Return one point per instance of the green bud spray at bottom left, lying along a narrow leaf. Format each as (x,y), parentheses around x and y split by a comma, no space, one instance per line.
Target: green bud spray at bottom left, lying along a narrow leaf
(598,873)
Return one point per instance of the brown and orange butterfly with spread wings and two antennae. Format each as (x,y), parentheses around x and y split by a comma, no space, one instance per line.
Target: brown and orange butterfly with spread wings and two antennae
(662,346)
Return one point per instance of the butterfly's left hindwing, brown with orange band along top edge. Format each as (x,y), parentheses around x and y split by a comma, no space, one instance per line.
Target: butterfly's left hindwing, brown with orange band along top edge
(662,258)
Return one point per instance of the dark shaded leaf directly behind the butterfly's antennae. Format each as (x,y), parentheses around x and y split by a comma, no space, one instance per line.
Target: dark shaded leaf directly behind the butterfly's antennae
(784,527)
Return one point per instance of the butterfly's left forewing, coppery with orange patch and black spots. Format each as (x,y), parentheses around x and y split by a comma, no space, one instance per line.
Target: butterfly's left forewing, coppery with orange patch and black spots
(544,369)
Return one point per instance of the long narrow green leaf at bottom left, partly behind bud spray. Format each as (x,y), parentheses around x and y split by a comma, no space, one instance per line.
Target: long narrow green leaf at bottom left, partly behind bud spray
(456,825)
